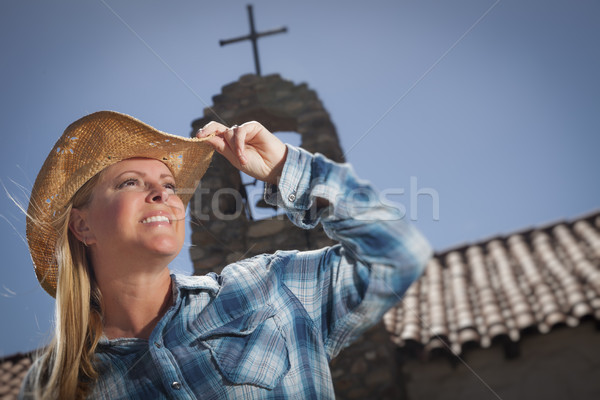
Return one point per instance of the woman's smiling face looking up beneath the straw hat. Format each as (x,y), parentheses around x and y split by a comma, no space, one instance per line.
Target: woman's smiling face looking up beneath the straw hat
(135,212)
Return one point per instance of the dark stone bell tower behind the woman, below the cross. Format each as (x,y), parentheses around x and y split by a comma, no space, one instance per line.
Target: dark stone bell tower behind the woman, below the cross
(224,229)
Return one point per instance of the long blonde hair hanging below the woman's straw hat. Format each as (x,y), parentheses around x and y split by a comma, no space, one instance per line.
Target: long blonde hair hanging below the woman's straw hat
(66,369)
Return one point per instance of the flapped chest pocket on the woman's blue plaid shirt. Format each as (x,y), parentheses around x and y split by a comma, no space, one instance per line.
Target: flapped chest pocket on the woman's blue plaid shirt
(250,349)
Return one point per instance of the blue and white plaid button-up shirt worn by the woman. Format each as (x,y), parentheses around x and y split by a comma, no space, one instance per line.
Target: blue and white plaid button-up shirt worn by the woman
(267,327)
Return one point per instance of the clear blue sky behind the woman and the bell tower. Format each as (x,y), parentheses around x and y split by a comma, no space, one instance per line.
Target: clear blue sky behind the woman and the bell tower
(493,106)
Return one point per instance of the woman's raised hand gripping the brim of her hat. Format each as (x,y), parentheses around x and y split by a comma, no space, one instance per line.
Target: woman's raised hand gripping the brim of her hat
(250,147)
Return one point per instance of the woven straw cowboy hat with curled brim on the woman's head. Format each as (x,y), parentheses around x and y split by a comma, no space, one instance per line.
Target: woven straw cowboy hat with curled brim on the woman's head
(87,146)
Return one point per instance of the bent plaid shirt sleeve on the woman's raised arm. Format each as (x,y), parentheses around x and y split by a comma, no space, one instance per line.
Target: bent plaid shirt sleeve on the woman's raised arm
(348,287)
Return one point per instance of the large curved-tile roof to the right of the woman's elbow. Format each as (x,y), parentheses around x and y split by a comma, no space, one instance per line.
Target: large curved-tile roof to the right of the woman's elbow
(502,288)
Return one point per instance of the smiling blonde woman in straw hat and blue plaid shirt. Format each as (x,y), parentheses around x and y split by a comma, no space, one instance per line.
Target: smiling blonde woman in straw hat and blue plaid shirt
(106,217)
